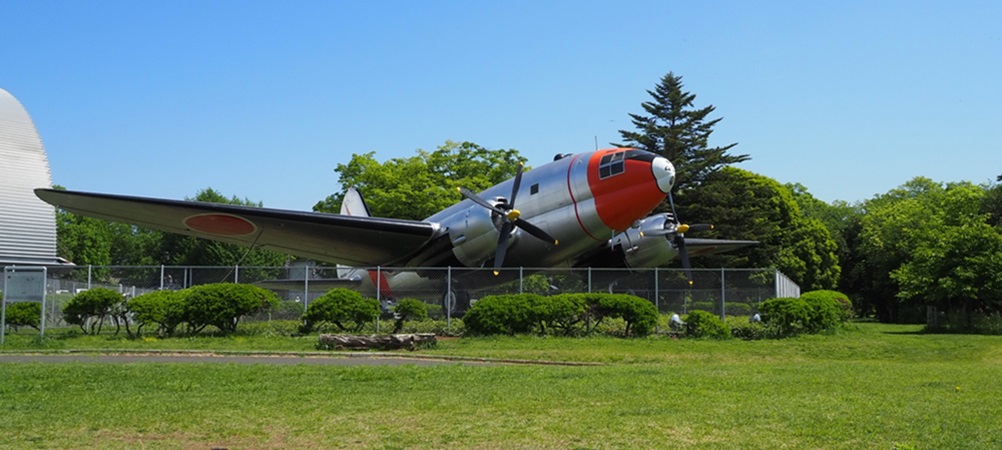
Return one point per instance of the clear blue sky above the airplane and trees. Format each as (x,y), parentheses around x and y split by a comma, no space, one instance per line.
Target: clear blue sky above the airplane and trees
(264,100)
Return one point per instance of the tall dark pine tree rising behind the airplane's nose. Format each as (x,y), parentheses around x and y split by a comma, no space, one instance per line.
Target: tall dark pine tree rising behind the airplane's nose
(676,130)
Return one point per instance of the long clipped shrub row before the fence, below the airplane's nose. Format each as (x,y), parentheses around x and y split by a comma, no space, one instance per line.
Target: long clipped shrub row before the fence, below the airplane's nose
(567,314)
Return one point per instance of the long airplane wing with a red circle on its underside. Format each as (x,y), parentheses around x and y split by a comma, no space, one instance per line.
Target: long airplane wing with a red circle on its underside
(338,239)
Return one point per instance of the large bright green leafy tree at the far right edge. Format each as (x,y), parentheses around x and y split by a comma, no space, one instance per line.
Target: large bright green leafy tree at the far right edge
(938,246)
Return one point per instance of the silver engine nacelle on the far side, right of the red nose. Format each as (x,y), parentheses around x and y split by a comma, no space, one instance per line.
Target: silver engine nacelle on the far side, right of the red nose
(641,251)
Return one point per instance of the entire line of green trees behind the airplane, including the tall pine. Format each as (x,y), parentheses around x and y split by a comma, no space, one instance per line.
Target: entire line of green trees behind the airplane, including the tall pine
(925,244)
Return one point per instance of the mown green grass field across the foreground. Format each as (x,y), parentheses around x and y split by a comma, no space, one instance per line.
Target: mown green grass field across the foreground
(873,387)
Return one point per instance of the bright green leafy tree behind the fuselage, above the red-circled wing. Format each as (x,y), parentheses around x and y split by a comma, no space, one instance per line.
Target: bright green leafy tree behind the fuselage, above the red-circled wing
(418,187)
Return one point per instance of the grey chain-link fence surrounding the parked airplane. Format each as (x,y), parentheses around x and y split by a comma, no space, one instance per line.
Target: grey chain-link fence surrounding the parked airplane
(449,292)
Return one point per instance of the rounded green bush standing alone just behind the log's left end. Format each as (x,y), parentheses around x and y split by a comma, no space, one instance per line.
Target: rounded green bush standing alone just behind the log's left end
(341,308)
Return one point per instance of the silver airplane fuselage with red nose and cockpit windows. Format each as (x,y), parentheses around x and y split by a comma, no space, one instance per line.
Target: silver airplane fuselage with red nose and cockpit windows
(584,201)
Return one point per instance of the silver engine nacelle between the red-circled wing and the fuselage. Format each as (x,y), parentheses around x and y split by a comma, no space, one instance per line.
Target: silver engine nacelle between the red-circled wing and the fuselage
(474,236)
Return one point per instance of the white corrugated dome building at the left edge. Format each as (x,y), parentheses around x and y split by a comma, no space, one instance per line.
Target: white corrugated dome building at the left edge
(28,225)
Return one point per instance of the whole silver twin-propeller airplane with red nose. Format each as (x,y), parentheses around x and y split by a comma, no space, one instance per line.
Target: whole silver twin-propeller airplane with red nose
(587,210)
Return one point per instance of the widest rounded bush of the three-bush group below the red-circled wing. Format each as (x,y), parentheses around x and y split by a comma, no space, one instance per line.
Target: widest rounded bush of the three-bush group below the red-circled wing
(223,305)
